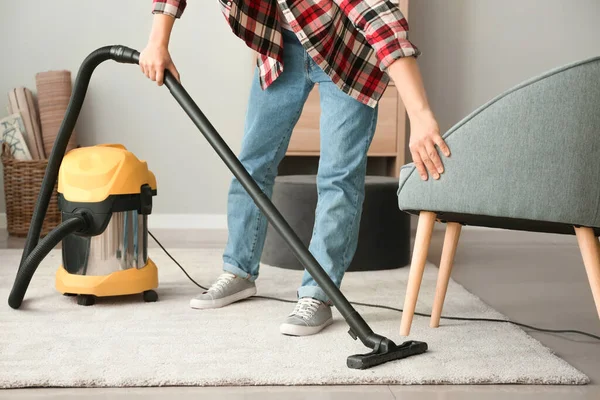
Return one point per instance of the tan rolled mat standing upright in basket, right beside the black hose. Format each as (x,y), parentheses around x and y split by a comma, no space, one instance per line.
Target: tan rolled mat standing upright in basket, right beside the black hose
(53,92)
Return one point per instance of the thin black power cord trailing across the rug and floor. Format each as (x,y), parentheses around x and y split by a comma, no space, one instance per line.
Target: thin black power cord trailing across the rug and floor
(393,308)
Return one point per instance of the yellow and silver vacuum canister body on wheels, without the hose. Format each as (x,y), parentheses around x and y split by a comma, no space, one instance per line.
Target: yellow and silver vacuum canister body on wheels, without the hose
(113,190)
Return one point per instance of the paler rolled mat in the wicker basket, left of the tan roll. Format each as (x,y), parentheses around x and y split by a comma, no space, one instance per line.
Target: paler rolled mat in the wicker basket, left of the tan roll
(20,100)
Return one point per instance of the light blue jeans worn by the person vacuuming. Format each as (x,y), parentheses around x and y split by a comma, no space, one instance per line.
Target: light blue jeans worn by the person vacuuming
(346,130)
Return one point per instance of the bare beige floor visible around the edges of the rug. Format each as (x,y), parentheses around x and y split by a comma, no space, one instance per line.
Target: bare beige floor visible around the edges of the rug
(537,279)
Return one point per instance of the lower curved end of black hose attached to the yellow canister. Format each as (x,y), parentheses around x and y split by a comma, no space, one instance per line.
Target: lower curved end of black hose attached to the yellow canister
(28,268)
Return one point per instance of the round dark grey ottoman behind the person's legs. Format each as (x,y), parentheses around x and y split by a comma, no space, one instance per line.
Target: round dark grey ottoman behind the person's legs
(384,235)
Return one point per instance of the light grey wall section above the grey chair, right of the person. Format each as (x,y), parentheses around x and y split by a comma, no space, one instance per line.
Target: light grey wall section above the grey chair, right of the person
(475,49)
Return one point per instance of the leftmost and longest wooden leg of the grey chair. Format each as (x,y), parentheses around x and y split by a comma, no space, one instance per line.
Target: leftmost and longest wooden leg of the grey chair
(417,266)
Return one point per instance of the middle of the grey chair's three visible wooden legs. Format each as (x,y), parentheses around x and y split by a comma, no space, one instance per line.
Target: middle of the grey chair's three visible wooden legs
(448,251)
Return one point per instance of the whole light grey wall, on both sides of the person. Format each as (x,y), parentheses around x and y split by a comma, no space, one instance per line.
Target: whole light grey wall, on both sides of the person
(472,51)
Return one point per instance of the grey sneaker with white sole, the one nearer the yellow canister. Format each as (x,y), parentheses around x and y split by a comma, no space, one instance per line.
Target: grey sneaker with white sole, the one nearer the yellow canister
(227,289)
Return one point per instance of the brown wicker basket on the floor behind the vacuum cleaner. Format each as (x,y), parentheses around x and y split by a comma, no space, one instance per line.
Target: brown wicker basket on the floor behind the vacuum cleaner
(22,183)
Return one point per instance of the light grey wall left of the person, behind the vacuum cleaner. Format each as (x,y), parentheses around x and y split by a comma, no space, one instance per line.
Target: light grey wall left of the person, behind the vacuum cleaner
(122,105)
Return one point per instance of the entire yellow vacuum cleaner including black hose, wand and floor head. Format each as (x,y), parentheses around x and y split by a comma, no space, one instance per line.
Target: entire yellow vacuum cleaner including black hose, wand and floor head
(105,196)
